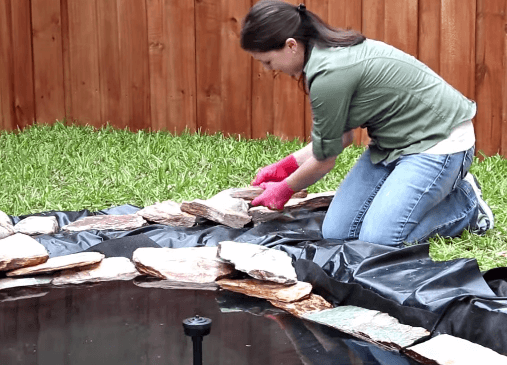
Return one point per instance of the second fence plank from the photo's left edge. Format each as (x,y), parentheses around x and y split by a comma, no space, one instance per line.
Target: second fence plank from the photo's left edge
(24,107)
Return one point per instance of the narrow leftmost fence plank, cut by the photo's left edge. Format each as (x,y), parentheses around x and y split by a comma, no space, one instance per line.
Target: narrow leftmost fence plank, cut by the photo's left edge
(7,118)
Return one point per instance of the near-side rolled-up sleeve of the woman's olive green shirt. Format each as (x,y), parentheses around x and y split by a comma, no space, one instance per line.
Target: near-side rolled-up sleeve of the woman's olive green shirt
(330,94)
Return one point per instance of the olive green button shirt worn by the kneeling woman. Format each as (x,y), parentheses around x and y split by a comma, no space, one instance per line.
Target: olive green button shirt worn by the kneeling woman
(405,106)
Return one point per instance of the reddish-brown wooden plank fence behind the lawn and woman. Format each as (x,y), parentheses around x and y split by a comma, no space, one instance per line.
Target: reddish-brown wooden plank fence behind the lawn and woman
(176,64)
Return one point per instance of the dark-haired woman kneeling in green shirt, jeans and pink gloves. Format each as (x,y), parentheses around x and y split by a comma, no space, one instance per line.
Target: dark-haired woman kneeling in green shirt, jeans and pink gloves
(412,182)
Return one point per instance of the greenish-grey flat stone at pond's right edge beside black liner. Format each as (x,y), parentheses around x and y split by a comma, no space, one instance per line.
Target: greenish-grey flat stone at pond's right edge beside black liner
(368,325)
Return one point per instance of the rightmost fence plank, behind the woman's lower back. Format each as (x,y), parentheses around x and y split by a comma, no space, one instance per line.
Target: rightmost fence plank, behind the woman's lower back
(489,65)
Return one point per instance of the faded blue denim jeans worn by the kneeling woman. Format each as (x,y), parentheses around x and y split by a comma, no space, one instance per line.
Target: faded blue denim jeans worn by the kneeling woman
(408,200)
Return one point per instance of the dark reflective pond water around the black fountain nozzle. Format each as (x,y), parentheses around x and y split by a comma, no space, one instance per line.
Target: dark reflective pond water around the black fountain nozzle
(121,323)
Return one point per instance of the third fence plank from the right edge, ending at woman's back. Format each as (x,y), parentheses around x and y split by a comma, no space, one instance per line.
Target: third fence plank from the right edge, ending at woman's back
(429,33)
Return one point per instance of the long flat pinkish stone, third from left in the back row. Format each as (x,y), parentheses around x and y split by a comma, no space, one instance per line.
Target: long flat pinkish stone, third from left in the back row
(124,222)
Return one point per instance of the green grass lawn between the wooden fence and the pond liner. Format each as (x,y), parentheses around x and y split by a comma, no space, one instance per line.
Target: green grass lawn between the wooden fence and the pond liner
(70,167)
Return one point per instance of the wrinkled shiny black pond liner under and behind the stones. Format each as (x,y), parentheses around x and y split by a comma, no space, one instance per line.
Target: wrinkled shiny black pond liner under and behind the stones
(451,297)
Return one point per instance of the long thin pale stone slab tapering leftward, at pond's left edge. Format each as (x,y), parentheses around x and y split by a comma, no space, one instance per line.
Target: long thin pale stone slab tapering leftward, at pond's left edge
(60,263)
